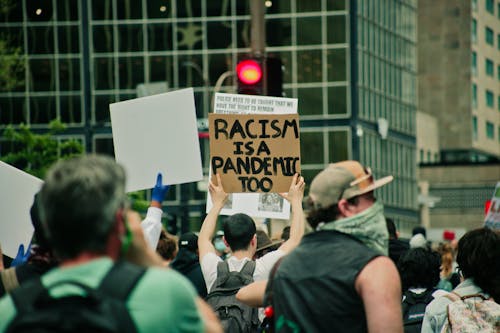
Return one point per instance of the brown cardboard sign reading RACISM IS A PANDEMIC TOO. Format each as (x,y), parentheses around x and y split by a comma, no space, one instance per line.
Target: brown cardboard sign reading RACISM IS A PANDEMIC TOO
(254,153)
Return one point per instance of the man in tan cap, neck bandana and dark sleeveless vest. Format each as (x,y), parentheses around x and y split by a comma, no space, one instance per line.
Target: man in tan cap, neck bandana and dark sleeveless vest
(340,278)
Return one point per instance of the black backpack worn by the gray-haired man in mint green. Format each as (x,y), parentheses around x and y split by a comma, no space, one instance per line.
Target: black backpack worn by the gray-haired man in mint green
(99,310)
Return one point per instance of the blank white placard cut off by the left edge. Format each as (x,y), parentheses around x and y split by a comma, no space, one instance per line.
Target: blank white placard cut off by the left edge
(16,198)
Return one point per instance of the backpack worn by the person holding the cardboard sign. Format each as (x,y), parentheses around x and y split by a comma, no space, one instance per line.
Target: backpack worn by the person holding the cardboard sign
(235,316)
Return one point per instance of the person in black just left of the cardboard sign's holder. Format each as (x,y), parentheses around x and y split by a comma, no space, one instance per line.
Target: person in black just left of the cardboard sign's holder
(187,263)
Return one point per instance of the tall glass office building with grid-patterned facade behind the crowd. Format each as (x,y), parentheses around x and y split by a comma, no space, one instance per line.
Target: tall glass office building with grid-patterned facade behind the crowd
(351,64)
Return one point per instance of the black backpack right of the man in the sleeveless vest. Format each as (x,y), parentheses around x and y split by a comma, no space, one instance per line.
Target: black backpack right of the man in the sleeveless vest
(414,309)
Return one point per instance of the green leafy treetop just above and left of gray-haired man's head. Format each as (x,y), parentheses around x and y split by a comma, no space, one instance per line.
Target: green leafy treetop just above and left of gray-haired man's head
(35,153)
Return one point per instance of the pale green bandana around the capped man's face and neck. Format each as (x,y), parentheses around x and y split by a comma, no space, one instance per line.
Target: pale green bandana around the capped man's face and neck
(368,226)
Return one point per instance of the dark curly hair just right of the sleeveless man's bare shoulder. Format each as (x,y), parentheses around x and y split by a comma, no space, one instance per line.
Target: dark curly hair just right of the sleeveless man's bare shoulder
(419,268)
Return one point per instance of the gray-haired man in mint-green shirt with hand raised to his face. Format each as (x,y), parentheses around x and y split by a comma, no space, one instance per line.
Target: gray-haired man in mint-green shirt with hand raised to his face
(84,211)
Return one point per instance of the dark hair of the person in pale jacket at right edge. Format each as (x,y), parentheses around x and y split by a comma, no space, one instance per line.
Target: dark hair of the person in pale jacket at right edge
(479,258)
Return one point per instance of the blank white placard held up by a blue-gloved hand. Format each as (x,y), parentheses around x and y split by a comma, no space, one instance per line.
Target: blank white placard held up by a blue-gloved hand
(157,134)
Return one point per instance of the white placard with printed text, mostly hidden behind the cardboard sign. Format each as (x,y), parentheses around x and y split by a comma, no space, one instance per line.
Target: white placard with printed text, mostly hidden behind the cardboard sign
(264,205)
